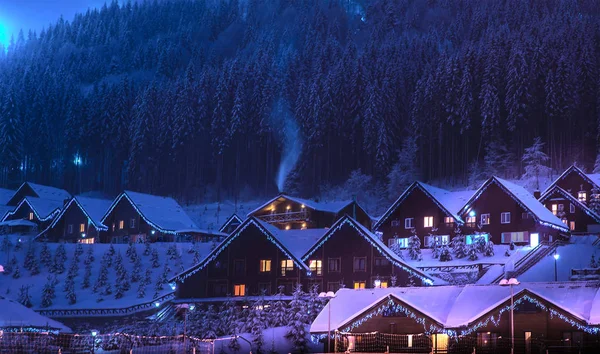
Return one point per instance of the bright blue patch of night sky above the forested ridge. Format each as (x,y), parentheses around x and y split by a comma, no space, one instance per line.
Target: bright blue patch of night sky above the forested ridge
(37,14)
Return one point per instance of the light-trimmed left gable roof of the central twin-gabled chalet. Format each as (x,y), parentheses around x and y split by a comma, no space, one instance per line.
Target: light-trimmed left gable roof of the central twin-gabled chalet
(265,228)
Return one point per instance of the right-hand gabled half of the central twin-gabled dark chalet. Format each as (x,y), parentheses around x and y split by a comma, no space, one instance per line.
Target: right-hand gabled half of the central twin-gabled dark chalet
(349,255)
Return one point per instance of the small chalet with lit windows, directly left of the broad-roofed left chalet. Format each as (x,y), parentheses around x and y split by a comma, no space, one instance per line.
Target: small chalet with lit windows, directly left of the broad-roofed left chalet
(79,221)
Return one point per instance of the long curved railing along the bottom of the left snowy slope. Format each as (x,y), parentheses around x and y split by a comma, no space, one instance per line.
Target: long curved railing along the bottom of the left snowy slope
(107,312)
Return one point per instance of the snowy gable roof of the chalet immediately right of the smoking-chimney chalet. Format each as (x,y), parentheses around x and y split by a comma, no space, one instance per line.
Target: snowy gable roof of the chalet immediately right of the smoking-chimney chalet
(450,202)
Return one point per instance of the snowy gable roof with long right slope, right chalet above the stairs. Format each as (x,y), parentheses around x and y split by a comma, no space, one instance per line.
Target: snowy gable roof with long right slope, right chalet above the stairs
(525,199)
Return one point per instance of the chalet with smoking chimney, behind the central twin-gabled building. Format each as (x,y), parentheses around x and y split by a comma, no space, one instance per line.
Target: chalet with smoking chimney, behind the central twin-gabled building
(288,212)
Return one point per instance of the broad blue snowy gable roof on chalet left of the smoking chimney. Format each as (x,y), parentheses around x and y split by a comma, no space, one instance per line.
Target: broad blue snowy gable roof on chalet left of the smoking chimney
(162,213)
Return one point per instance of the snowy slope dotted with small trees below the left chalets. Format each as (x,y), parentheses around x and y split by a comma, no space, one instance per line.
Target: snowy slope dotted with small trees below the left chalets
(9,287)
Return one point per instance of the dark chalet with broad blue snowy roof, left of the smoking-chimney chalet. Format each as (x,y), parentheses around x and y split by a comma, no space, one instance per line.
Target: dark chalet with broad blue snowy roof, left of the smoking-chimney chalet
(136,217)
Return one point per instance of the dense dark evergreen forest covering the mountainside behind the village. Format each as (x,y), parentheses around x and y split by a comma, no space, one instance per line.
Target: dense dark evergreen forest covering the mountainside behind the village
(203,99)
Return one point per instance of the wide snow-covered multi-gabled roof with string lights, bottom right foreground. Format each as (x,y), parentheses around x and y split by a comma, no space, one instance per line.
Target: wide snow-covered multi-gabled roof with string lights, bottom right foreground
(454,307)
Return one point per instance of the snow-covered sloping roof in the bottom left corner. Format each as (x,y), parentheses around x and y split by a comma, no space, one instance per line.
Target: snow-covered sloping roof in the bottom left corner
(14,314)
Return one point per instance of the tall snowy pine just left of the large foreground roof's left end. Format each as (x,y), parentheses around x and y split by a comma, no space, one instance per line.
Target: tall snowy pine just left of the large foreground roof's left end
(297,321)
